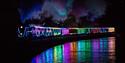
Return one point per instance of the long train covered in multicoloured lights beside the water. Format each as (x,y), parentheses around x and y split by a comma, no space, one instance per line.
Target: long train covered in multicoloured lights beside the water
(38,31)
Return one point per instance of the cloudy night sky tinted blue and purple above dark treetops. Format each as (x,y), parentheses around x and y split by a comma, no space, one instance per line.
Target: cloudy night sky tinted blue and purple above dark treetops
(59,9)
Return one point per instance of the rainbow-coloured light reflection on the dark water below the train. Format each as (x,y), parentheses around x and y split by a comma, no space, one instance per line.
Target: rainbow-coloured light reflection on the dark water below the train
(100,50)
